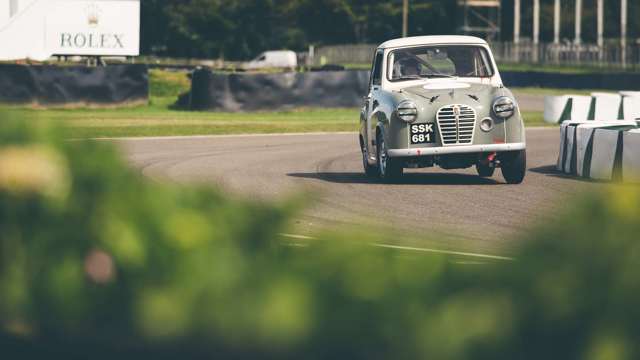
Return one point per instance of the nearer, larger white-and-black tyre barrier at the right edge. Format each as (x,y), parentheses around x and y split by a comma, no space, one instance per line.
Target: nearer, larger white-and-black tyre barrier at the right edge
(600,150)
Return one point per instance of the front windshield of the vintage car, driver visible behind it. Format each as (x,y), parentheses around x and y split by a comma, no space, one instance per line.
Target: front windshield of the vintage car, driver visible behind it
(439,61)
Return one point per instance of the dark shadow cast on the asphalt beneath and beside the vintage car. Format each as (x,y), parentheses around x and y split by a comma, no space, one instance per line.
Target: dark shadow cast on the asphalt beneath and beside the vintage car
(407,179)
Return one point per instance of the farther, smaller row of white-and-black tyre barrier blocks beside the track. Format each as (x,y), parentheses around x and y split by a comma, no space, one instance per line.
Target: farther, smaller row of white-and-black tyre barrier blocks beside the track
(599,106)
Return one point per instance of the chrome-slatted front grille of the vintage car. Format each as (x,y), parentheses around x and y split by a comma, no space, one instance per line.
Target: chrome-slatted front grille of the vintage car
(456,124)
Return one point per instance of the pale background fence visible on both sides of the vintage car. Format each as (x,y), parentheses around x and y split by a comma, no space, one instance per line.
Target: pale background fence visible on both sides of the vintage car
(610,55)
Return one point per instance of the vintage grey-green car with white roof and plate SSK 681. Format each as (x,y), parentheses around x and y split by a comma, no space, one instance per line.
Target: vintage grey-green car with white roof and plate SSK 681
(439,100)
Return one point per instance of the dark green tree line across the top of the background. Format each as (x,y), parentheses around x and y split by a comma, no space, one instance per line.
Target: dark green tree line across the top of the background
(239,29)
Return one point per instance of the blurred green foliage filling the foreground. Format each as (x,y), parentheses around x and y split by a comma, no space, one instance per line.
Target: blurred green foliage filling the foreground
(96,261)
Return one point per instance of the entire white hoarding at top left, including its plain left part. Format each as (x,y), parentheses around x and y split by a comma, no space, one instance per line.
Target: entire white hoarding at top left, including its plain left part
(39,29)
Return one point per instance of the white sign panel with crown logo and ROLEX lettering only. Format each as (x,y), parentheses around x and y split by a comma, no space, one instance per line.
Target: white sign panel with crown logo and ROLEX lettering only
(94,28)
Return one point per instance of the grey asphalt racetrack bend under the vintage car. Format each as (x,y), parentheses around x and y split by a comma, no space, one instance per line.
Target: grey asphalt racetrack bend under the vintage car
(449,209)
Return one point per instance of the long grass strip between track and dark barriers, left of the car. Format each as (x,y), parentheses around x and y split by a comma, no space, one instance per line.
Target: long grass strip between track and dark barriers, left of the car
(157,120)
